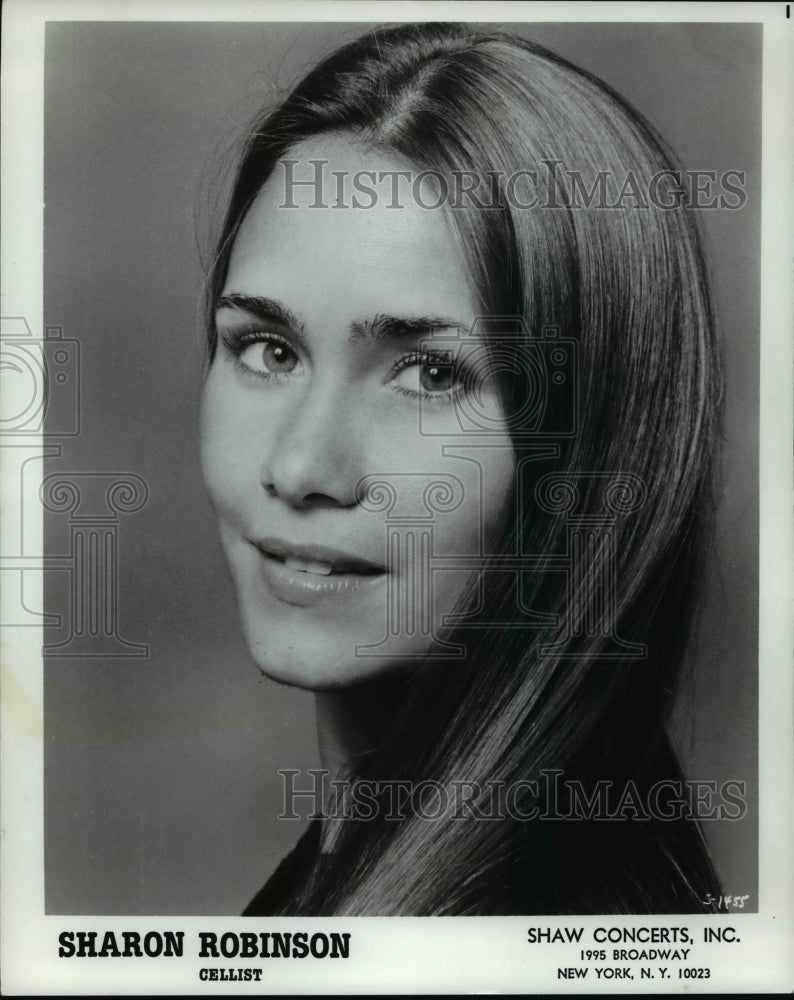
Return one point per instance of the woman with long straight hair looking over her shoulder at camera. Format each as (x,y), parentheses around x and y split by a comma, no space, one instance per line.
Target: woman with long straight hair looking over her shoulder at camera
(458,428)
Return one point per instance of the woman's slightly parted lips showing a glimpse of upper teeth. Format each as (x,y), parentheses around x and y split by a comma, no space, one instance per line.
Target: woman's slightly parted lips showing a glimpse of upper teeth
(307,574)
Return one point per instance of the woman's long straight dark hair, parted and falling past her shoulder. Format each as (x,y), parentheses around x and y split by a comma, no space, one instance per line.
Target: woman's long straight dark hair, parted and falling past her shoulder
(628,284)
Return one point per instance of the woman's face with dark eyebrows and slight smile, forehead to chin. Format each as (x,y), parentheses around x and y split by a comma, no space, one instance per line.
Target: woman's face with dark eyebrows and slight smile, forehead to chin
(321,379)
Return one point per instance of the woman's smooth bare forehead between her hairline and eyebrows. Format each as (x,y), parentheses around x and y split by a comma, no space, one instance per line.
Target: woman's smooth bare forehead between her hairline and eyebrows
(304,243)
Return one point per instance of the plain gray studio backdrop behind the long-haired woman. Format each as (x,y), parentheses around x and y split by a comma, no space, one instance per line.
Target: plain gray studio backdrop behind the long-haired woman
(160,773)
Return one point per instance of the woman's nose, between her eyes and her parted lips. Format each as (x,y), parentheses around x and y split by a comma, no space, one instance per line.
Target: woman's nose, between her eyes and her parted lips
(314,458)
